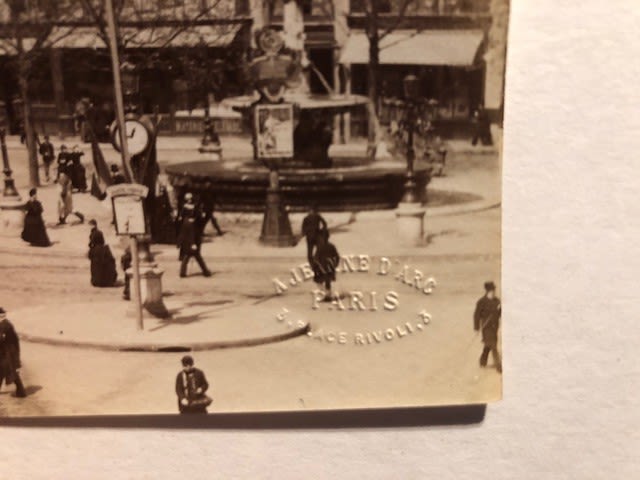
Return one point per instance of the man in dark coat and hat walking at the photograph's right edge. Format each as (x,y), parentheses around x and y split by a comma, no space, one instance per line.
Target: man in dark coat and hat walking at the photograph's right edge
(486,318)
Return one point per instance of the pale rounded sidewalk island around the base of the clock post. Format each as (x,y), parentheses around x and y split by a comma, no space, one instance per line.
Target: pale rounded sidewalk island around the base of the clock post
(193,326)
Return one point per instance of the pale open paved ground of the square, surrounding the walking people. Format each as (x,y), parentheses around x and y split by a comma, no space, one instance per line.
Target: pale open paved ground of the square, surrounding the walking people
(348,359)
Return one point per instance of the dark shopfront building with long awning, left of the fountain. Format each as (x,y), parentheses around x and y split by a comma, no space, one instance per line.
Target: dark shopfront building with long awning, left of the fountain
(178,47)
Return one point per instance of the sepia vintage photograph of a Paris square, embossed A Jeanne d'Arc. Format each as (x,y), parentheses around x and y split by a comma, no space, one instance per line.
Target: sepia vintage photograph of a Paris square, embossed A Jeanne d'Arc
(213,206)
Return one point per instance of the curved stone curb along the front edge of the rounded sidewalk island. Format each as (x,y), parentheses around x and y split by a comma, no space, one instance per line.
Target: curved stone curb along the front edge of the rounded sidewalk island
(167,348)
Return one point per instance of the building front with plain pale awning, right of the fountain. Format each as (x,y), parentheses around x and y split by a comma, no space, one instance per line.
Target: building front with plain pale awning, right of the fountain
(442,42)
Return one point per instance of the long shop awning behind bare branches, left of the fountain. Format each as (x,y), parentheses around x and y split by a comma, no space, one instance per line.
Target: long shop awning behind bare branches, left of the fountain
(87,37)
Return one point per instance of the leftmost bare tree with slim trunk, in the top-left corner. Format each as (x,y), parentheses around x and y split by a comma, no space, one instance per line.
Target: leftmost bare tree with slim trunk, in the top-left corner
(30,29)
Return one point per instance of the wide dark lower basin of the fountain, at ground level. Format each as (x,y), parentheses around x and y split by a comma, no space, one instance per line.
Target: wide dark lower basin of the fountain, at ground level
(241,185)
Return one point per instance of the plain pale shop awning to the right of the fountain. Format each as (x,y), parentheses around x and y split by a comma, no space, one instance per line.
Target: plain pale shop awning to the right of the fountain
(456,48)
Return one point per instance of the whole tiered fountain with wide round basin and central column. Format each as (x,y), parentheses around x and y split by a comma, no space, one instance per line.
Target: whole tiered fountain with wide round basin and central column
(294,129)
